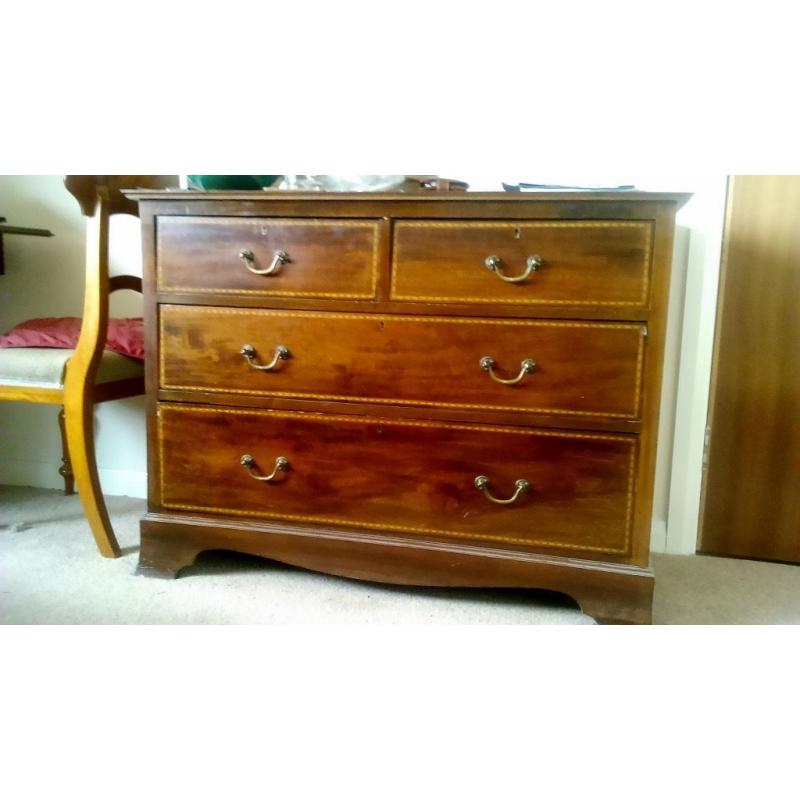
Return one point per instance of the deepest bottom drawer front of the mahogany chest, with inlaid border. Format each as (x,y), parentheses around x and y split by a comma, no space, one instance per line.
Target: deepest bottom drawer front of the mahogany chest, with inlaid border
(403,476)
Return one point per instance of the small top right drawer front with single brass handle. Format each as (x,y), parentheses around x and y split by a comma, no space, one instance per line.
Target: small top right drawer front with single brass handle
(602,263)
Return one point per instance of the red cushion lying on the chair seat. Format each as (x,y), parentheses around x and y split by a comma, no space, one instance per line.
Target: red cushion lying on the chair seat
(125,336)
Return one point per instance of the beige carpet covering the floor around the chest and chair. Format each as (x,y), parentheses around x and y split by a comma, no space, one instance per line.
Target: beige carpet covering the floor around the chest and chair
(51,573)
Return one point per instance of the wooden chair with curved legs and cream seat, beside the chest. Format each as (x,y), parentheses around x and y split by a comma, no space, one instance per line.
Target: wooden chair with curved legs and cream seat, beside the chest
(77,379)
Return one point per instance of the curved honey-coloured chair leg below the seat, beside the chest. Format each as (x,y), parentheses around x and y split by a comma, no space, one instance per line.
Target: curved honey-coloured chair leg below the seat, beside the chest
(80,442)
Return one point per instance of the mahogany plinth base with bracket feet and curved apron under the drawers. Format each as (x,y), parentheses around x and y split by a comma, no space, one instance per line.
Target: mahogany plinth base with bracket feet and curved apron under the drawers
(608,592)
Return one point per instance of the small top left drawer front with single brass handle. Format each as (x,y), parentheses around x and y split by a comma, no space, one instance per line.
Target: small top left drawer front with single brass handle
(326,258)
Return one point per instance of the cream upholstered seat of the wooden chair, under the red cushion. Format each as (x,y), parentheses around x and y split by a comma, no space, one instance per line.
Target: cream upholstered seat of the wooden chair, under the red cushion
(44,367)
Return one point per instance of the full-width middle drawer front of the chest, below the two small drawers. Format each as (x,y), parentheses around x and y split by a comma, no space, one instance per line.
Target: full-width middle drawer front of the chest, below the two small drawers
(590,369)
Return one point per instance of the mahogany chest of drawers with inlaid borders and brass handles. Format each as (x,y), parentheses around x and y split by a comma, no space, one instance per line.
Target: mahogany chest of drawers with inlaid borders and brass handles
(442,389)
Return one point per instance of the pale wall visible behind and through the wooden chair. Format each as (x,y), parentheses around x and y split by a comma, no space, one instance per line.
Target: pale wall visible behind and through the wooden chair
(44,277)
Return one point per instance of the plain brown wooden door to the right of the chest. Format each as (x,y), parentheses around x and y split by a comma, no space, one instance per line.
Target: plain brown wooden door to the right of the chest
(751,505)
